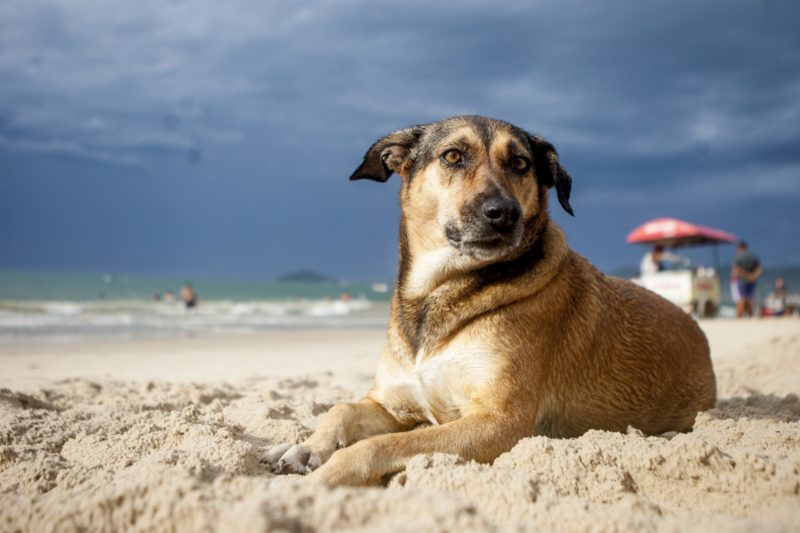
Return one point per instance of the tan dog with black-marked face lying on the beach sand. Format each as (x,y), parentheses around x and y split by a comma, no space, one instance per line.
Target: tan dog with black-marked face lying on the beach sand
(499,331)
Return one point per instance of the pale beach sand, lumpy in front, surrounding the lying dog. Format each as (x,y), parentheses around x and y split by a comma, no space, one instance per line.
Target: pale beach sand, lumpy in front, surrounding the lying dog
(170,435)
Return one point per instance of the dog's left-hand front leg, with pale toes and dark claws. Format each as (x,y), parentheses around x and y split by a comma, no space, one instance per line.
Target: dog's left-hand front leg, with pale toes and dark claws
(343,425)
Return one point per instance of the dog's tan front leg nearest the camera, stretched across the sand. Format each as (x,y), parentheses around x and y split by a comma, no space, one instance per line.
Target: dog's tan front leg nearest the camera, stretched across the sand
(481,437)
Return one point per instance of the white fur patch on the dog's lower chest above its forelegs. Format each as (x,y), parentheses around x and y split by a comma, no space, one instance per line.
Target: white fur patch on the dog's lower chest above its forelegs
(439,387)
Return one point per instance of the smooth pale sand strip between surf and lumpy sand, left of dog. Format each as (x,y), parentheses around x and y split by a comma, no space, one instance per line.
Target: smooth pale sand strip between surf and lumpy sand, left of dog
(213,358)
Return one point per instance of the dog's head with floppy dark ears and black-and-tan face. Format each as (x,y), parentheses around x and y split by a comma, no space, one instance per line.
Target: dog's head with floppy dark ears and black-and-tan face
(471,183)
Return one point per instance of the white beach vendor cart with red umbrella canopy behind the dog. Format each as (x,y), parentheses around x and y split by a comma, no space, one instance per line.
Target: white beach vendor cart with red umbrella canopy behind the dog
(696,290)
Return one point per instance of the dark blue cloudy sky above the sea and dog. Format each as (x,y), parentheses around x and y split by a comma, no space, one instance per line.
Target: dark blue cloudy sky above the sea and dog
(207,138)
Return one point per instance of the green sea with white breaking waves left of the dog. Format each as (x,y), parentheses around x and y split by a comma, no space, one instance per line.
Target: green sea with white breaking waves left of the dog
(46,306)
